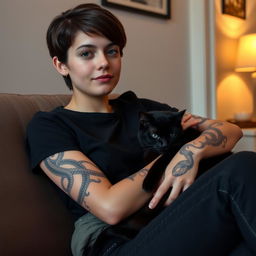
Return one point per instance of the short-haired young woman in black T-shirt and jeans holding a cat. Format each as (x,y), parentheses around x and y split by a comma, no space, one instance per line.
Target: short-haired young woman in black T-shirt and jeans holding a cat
(89,149)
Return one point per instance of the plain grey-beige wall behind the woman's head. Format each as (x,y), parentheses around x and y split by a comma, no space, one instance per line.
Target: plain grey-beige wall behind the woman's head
(155,63)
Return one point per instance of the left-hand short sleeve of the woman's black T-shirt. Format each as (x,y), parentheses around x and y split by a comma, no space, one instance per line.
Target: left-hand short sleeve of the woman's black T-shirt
(46,136)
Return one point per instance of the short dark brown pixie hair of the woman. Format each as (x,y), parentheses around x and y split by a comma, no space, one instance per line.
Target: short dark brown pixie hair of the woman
(88,18)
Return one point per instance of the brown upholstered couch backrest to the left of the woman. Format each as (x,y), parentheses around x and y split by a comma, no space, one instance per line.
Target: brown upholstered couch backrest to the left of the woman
(33,219)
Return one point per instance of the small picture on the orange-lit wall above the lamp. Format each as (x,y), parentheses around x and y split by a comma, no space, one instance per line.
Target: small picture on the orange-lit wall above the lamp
(236,8)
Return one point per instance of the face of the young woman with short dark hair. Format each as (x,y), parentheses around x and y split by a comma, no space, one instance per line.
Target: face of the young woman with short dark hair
(94,65)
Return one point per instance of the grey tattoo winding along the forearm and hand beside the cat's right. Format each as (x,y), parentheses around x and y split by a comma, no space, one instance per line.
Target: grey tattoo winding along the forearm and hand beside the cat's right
(212,136)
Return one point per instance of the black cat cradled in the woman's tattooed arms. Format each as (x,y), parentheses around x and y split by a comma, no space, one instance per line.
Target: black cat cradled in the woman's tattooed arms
(161,132)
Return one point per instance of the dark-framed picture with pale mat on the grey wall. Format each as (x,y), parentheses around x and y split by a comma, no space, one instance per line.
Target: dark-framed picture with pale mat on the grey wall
(157,8)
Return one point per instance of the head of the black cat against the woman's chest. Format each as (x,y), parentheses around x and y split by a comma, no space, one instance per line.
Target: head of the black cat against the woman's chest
(159,130)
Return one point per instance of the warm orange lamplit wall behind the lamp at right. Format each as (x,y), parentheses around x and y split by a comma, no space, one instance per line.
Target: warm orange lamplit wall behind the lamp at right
(234,90)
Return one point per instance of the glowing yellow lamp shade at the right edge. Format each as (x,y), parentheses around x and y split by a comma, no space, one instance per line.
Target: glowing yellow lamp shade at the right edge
(246,55)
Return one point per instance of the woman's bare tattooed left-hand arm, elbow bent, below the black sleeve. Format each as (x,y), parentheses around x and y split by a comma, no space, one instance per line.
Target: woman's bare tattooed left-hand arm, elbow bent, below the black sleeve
(83,181)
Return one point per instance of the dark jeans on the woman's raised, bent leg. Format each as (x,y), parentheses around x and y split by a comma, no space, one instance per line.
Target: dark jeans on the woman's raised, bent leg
(215,216)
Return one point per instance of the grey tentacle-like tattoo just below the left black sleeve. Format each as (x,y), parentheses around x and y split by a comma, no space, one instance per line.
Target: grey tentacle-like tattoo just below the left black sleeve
(59,167)
